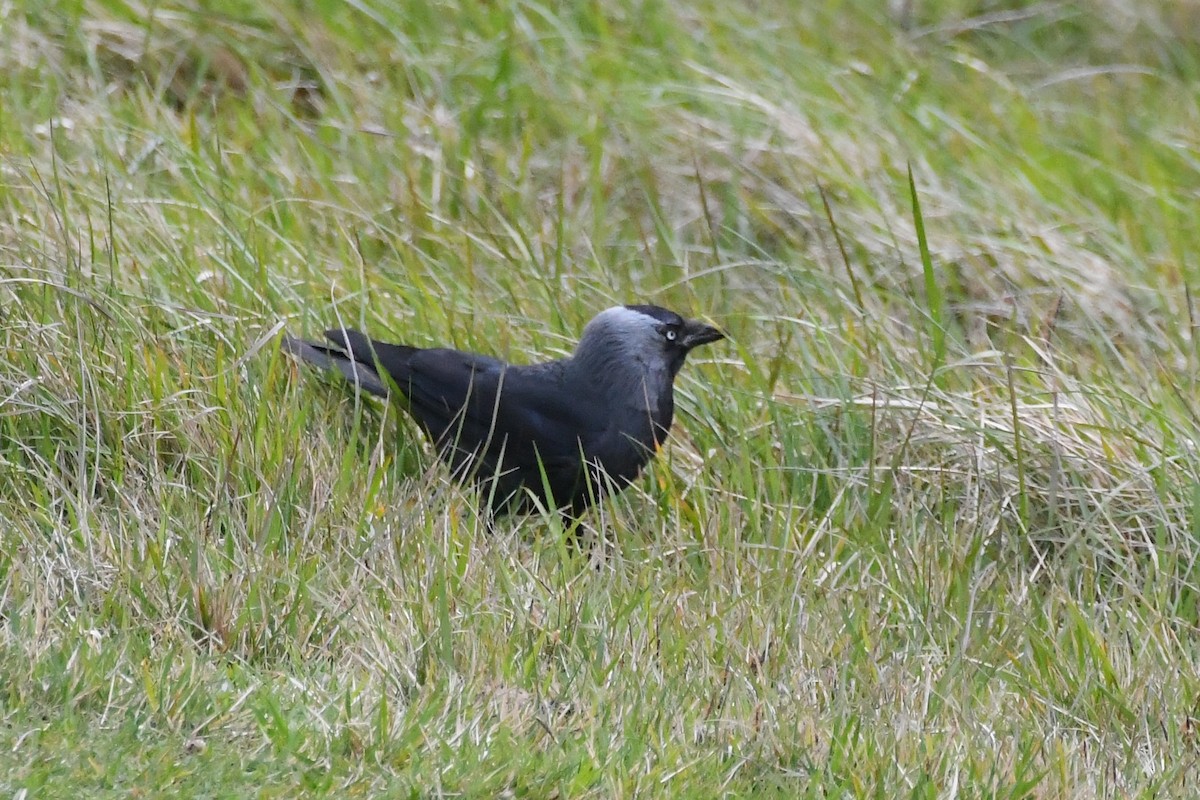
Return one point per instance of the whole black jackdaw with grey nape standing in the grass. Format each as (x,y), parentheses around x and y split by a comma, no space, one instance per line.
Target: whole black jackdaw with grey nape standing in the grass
(553,436)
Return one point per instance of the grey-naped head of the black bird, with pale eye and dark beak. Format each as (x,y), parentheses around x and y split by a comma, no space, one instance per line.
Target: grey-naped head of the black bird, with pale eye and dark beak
(651,336)
